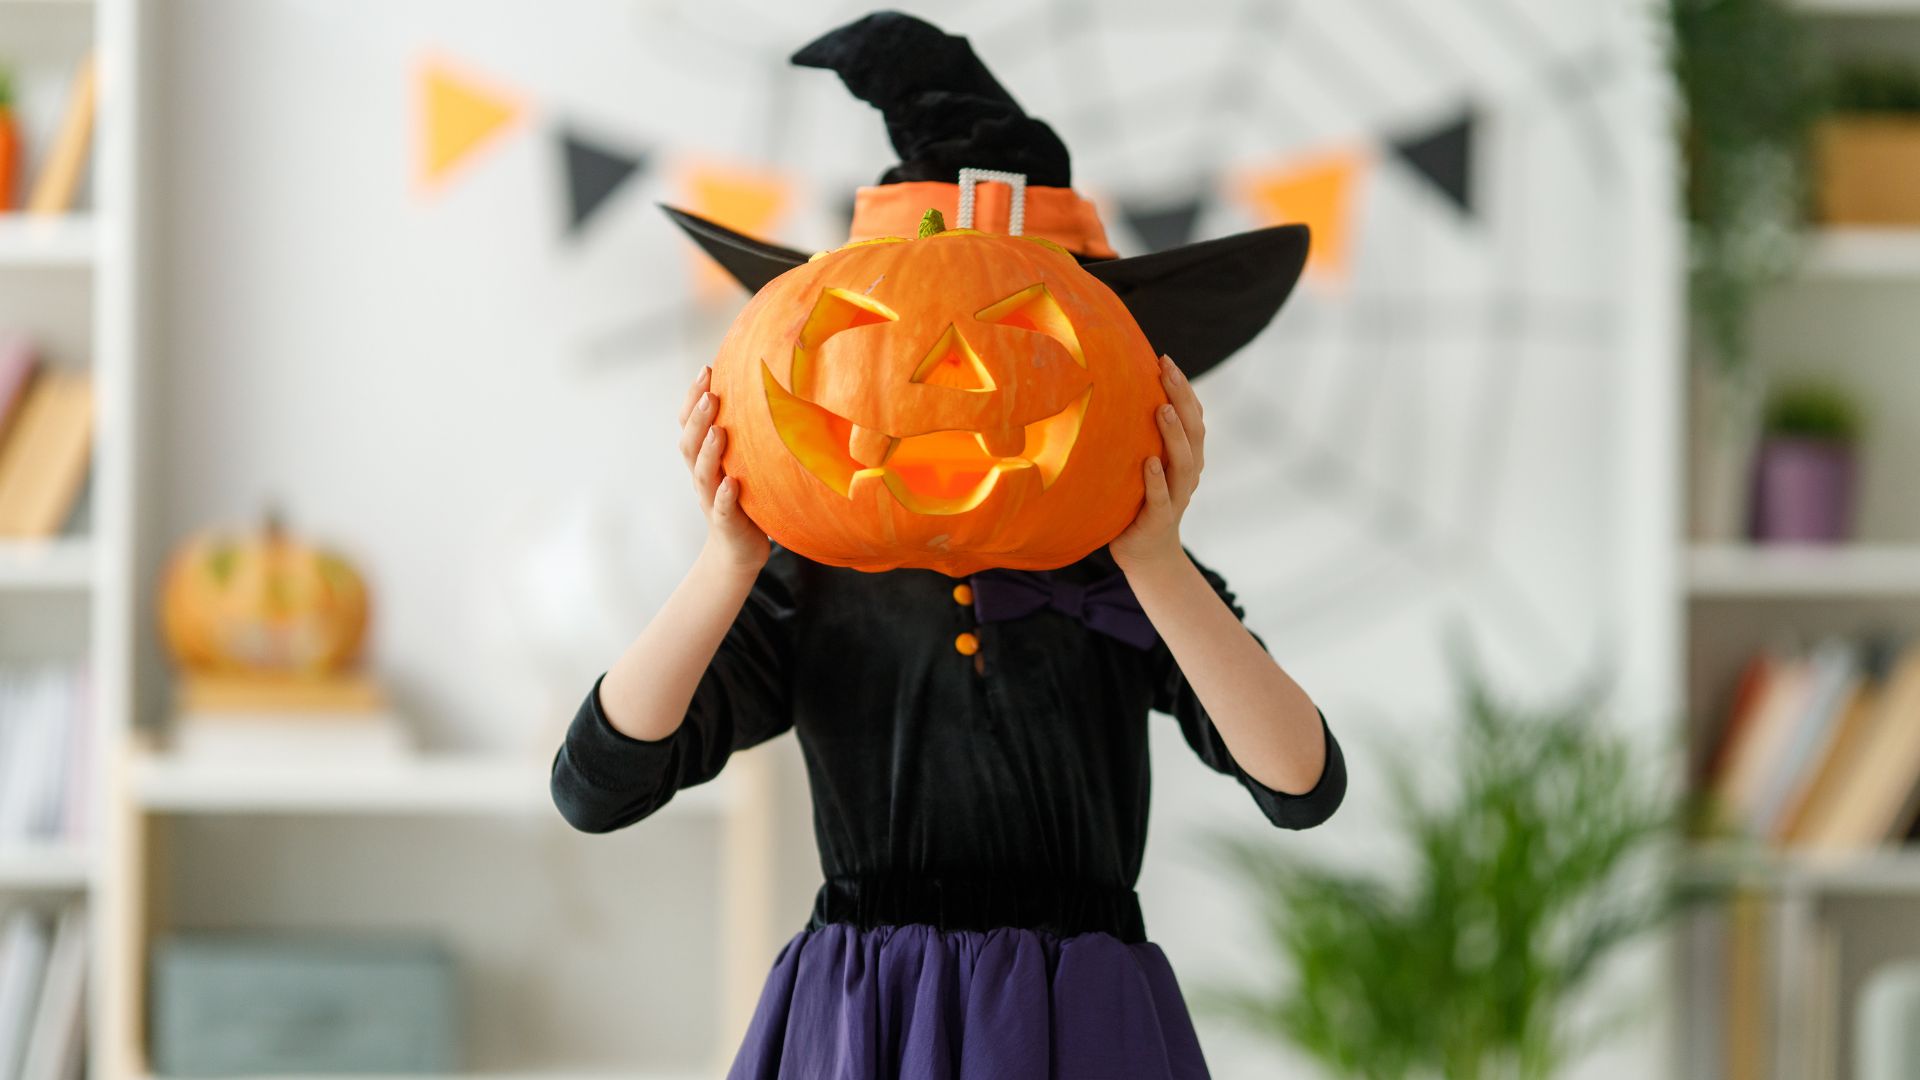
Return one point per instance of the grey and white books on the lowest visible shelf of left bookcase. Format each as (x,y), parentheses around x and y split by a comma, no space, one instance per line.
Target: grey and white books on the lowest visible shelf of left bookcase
(43,994)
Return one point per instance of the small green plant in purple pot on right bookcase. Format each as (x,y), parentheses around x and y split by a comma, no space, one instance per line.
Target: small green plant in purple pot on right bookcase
(1804,474)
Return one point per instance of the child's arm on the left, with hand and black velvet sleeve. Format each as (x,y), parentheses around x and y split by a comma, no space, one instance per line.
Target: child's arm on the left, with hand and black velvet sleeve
(704,677)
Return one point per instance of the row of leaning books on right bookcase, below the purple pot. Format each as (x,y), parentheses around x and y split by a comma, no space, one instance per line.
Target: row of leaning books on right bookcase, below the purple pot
(1821,750)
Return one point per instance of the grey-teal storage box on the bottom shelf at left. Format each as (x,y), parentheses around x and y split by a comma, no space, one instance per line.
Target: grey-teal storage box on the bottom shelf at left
(262,1006)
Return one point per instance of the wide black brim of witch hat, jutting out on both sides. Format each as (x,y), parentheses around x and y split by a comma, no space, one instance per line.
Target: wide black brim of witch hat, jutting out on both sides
(1199,305)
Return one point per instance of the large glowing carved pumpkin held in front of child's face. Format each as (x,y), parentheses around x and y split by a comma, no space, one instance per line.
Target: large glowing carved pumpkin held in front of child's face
(953,403)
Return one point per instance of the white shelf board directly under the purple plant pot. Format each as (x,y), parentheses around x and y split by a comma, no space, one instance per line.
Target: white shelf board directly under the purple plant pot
(1804,572)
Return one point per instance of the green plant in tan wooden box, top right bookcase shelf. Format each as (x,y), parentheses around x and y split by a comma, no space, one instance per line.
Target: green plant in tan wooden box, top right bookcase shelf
(1869,147)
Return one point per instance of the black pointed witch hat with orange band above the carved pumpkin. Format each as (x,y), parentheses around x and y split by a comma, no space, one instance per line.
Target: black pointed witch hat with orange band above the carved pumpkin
(946,112)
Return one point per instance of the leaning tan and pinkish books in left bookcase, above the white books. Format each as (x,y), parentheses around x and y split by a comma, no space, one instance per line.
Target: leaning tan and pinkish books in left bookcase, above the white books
(45,441)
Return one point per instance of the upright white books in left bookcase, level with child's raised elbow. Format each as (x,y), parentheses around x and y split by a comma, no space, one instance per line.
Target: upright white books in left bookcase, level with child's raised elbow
(45,725)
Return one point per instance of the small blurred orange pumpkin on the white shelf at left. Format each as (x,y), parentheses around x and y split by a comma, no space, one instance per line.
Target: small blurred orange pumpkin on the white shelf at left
(262,602)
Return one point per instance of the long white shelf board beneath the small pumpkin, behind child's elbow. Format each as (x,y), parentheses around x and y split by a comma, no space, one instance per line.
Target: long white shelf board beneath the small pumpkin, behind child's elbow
(431,785)
